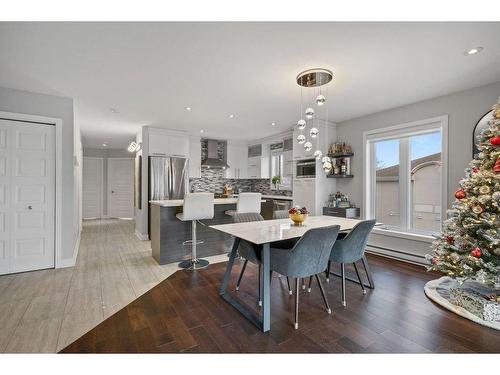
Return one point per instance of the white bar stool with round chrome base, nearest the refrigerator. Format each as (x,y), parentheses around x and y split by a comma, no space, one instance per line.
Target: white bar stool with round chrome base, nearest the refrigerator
(197,206)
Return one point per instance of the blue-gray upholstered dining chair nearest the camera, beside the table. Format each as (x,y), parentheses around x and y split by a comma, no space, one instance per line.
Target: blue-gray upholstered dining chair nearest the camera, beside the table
(309,257)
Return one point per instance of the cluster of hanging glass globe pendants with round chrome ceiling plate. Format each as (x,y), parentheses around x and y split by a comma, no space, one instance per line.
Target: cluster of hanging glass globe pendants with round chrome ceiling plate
(312,80)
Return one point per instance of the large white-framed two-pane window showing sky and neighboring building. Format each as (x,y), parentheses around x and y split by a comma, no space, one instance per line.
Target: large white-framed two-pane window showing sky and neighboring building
(405,178)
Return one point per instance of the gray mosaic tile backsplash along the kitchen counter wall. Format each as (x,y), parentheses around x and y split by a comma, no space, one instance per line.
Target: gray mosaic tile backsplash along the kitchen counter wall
(213,180)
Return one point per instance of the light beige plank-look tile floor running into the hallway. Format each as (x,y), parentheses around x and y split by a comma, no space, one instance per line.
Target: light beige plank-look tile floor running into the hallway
(43,311)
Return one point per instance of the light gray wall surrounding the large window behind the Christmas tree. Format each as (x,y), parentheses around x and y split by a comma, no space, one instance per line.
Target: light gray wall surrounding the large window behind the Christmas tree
(464,110)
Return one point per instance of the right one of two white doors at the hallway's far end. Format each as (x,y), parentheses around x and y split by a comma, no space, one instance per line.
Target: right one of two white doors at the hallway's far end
(121,187)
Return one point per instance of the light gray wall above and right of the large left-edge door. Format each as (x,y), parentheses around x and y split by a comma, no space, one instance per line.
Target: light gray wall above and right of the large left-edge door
(24,102)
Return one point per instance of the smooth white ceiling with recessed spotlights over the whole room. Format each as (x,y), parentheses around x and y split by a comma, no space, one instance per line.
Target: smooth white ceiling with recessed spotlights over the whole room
(149,72)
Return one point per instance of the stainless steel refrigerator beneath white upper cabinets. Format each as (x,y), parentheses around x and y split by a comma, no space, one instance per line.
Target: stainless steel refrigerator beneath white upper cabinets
(168,177)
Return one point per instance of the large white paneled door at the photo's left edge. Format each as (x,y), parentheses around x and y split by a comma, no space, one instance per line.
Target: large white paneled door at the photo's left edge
(27,196)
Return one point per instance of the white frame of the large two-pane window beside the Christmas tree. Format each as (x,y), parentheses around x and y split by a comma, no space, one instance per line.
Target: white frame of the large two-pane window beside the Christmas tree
(406,130)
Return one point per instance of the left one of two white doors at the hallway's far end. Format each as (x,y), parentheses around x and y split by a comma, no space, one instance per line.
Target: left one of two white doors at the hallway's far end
(92,188)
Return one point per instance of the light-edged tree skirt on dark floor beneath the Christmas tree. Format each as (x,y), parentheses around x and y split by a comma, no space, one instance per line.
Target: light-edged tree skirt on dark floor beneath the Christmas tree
(439,291)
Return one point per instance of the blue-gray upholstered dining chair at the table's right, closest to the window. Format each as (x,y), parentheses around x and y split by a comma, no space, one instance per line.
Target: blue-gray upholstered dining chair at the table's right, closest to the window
(351,249)
